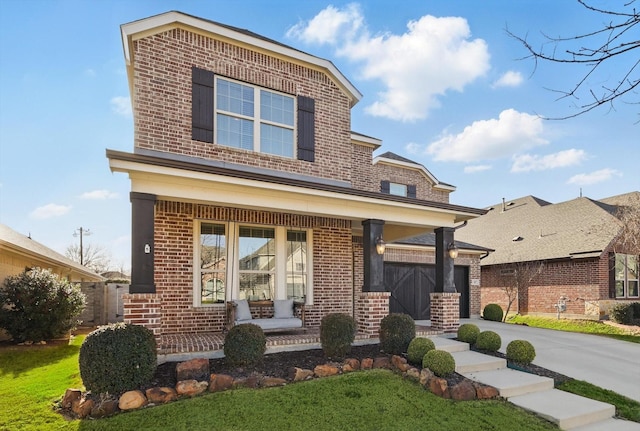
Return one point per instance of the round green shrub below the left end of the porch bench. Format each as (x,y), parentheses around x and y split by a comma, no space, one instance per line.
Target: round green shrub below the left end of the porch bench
(245,344)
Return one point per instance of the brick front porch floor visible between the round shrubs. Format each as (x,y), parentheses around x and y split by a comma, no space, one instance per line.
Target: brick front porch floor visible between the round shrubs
(181,347)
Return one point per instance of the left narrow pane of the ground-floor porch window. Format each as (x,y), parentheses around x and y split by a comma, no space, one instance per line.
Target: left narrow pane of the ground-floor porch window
(213,259)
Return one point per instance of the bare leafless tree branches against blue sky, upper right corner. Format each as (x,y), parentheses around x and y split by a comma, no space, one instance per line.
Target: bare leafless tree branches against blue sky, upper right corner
(615,41)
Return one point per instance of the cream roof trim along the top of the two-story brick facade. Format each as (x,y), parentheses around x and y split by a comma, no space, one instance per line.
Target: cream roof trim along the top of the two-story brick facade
(174,19)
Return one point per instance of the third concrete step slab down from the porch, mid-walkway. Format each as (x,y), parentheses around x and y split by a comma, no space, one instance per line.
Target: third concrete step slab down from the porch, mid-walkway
(510,382)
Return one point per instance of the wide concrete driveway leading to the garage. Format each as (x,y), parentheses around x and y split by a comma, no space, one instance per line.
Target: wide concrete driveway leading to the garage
(605,362)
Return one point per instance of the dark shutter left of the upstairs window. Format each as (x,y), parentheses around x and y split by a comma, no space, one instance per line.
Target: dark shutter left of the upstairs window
(202,105)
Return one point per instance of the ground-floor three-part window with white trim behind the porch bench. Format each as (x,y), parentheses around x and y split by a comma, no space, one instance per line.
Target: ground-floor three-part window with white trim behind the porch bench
(240,261)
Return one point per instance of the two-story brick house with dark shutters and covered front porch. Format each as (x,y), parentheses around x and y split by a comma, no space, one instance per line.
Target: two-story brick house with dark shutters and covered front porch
(246,179)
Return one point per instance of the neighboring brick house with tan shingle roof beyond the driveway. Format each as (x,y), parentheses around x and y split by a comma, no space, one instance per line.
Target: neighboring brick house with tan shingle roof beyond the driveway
(572,246)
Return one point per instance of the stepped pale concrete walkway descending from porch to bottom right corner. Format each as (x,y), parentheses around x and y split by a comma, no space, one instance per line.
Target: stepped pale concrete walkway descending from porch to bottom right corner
(534,393)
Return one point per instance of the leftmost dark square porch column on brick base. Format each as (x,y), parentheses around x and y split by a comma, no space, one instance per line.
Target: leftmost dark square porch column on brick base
(142,246)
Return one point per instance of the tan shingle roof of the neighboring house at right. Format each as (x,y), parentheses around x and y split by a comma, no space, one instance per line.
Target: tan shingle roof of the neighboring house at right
(530,229)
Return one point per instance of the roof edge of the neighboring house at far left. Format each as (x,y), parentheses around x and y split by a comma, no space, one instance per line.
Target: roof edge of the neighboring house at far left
(24,245)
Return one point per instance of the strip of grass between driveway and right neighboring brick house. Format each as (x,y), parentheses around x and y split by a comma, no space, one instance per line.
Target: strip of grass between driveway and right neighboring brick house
(569,325)
